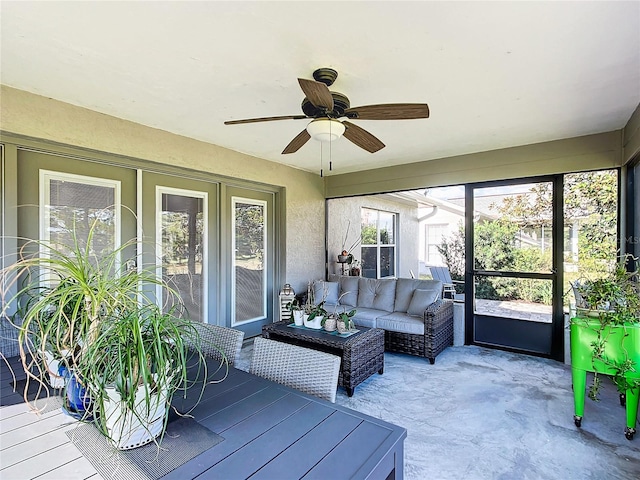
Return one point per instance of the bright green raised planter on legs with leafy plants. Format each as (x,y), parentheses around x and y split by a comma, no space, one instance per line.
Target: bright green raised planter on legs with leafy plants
(605,337)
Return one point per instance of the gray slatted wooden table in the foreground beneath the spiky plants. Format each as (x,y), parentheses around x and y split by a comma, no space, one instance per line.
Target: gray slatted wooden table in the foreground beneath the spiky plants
(269,431)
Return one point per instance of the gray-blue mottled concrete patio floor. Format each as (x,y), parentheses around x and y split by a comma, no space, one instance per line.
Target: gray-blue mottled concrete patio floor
(479,413)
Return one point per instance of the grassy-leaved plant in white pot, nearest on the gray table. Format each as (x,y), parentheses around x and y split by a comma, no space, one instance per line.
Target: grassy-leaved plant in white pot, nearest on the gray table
(132,368)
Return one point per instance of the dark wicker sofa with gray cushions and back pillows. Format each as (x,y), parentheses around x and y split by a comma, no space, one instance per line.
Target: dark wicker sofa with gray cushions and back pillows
(415,318)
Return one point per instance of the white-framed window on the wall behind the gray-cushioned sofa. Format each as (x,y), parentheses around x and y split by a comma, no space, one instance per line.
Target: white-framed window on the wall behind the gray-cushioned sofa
(378,243)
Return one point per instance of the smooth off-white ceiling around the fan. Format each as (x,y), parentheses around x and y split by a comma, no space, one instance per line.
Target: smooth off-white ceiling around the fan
(495,74)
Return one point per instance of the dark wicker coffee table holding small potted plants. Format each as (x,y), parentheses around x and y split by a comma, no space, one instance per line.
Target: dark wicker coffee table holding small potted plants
(362,353)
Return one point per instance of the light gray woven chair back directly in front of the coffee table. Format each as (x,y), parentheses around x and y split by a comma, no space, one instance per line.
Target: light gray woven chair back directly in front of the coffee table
(309,371)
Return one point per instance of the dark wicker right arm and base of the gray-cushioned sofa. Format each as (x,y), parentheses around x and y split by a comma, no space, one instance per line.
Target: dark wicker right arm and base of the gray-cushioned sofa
(438,333)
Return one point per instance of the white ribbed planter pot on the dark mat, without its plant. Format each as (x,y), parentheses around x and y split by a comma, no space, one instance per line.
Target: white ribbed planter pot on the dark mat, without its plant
(128,429)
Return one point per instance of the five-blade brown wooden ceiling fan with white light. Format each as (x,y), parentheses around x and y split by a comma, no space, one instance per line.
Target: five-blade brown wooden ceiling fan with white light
(327,108)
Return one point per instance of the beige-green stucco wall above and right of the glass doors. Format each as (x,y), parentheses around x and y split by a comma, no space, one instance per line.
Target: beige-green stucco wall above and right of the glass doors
(39,122)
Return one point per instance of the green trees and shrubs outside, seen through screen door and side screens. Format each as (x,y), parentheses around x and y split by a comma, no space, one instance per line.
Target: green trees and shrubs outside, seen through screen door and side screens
(590,202)
